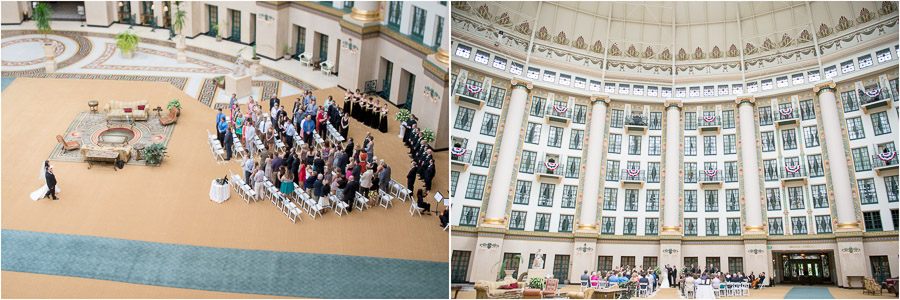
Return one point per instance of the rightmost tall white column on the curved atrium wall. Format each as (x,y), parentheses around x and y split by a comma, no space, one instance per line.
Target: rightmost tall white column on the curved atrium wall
(834,142)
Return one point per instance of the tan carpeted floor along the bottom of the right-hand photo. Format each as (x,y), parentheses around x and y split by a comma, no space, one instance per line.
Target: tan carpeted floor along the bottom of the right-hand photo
(777,292)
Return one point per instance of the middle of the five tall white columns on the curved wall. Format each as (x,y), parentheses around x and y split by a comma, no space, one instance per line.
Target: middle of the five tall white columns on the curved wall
(673,158)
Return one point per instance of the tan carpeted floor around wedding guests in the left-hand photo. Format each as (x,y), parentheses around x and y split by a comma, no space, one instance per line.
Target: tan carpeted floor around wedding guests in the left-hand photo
(170,203)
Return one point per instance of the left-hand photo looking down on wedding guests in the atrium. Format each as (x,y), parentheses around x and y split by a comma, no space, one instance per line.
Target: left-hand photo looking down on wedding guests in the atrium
(225,149)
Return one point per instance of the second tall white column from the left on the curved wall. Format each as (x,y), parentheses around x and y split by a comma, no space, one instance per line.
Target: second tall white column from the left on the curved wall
(592,180)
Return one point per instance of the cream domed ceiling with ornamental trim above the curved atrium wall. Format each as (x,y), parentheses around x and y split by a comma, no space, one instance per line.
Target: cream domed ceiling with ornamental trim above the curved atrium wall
(685,31)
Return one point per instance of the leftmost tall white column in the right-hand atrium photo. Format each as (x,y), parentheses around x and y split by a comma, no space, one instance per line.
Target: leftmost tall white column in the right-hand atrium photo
(505,166)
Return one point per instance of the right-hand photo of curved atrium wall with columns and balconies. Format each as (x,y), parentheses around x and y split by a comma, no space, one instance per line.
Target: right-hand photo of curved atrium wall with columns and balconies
(596,140)
